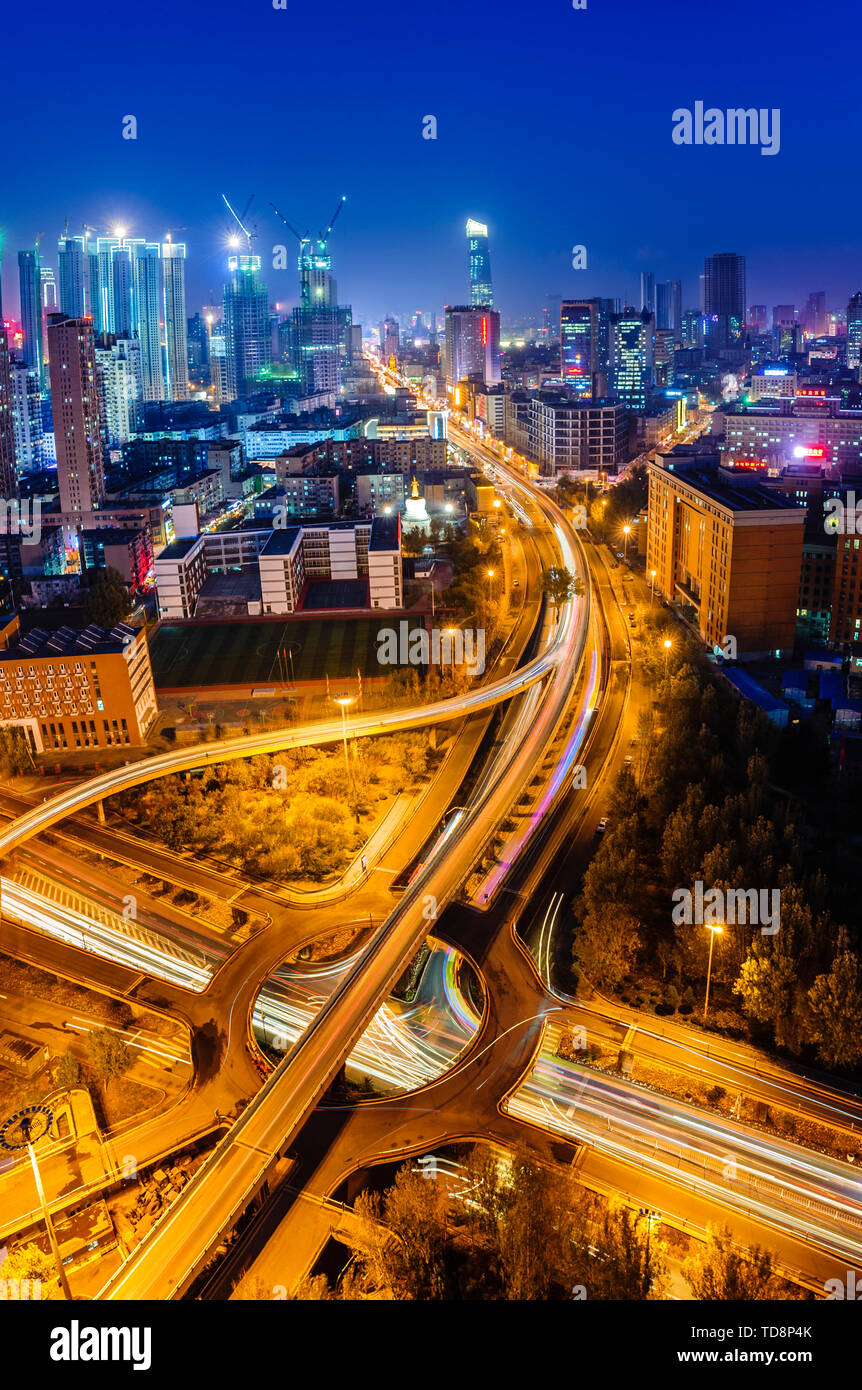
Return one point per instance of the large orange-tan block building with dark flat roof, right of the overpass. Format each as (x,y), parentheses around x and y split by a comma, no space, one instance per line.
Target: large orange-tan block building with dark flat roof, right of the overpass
(728,551)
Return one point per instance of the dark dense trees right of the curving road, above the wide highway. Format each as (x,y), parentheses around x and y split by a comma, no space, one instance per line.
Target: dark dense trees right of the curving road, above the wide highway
(700,804)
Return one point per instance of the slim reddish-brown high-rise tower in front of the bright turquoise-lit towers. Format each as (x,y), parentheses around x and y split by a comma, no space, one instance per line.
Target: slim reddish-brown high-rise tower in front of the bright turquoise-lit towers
(77,418)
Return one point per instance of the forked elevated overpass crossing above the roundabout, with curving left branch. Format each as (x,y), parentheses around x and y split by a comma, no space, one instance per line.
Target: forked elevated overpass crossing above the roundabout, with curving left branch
(168,1261)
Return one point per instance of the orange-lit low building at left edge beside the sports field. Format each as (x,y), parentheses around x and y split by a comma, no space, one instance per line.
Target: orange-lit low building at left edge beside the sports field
(79,690)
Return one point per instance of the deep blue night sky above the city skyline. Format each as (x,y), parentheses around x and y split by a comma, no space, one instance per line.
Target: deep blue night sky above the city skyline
(554,126)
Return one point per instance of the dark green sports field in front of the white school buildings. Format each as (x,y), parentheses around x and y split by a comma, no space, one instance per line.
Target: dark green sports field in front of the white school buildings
(247,654)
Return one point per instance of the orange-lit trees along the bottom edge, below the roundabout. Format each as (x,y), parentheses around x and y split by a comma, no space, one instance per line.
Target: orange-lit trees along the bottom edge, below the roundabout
(518,1231)
